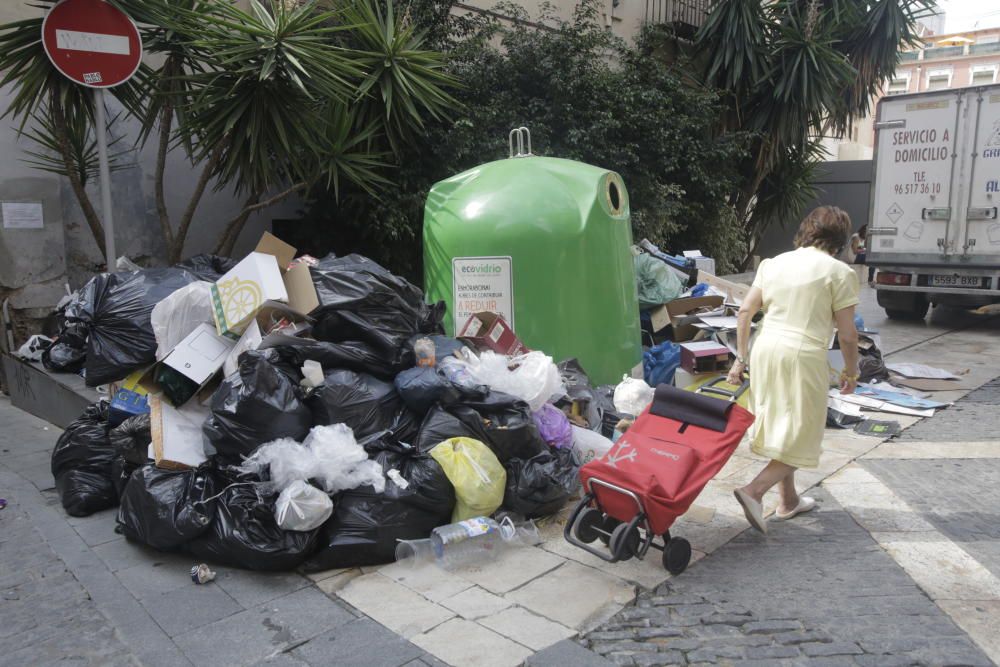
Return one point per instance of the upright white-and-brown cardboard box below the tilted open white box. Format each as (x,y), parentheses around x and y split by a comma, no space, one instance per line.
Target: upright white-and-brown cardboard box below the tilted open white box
(176,434)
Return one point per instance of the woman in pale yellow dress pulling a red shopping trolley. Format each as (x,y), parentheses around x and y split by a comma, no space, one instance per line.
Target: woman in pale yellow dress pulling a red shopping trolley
(803,294)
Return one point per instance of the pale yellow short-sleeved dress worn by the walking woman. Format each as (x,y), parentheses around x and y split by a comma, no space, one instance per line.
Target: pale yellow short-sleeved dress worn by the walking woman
(789,376)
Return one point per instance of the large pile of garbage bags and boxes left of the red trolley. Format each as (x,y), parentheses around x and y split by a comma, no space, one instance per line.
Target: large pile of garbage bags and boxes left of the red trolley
(285,412)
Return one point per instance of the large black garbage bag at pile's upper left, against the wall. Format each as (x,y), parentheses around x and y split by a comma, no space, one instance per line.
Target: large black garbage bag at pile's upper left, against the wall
(113,309)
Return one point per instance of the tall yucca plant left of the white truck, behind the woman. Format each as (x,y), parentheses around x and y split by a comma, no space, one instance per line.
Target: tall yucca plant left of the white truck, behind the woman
(794,71)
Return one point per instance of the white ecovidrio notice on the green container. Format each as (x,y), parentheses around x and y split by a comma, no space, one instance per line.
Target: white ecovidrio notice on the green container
(482,284)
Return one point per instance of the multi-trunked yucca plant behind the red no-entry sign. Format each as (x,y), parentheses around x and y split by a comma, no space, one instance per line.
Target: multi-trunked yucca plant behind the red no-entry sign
(269,101)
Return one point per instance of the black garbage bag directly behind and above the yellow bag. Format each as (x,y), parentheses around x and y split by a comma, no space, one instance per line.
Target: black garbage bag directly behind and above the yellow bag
(503,423)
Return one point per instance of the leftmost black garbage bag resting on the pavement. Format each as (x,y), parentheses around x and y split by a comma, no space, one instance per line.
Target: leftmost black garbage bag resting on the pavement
(81,464)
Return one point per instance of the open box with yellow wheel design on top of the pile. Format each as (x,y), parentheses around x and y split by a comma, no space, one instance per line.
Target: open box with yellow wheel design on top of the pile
(268,274)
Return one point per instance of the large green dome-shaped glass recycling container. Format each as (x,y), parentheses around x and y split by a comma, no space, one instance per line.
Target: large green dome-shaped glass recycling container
(545,242)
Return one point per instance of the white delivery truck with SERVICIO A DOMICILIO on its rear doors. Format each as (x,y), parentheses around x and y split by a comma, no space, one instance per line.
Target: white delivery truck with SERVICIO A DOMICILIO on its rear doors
(933,231)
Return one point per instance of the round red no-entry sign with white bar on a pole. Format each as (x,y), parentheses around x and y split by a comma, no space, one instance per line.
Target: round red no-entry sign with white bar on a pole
(92,43)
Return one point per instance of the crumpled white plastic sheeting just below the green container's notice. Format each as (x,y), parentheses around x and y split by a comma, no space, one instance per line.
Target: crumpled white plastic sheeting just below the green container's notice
(532,377)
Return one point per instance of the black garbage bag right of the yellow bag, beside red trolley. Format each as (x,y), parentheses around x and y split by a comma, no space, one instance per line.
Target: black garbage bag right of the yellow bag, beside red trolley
(541,485)
